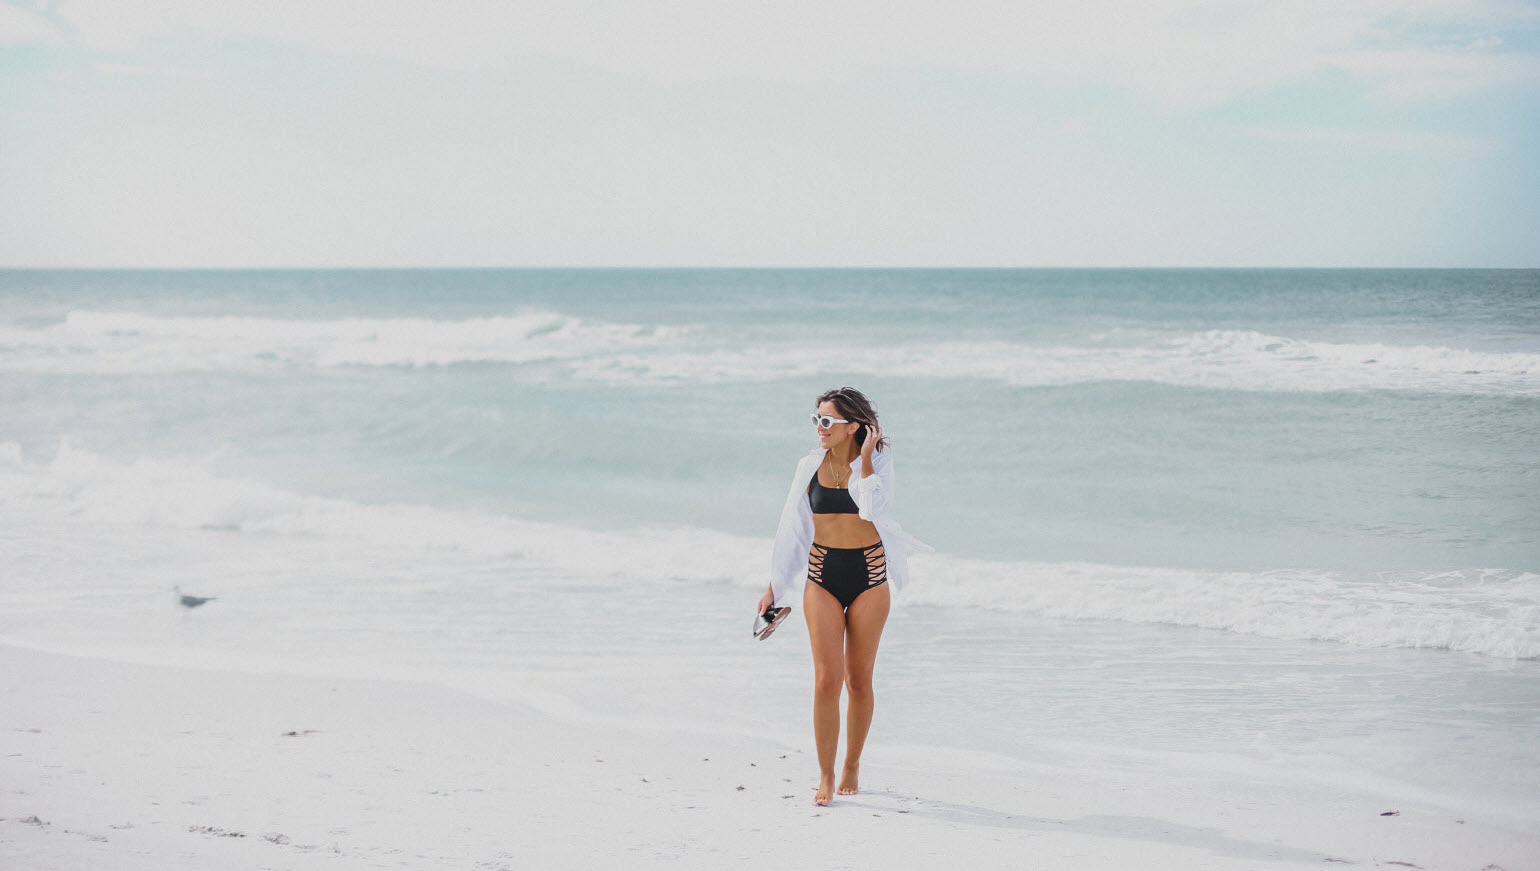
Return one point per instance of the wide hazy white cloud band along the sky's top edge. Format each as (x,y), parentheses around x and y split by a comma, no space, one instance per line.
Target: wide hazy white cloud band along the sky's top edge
(1185,53)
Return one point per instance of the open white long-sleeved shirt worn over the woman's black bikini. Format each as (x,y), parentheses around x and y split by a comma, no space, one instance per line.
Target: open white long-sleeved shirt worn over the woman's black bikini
(874,498)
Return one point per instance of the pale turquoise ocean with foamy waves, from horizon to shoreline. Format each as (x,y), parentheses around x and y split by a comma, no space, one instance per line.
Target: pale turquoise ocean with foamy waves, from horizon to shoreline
(1282,519)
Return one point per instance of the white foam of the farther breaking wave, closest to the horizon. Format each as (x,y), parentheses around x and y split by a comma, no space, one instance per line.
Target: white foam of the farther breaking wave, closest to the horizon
(1224,359)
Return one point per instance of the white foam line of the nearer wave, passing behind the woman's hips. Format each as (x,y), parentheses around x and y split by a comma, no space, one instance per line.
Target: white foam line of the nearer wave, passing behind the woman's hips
(78,495)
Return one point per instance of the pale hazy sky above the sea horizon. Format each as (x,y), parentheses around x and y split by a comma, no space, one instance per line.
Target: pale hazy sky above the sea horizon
(698,133)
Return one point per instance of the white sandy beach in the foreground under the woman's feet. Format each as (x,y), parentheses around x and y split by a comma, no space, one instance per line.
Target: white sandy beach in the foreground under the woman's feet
(121,767)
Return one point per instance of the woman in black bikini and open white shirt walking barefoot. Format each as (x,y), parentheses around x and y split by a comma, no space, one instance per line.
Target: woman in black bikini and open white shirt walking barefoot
(835,532)
